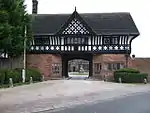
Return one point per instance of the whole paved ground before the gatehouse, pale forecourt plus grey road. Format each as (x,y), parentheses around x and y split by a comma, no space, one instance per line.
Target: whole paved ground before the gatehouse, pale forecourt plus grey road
(58,94)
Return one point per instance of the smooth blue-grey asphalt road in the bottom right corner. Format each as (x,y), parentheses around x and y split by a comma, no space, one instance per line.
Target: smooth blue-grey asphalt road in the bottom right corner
(139,103)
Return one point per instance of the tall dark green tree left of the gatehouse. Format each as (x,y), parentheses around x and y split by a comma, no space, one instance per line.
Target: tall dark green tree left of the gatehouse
(13,19)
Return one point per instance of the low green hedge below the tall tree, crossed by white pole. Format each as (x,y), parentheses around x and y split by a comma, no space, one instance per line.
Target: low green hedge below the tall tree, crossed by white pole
(16,75)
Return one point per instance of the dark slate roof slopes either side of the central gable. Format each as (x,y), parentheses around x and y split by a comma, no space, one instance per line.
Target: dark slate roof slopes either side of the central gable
(100,23)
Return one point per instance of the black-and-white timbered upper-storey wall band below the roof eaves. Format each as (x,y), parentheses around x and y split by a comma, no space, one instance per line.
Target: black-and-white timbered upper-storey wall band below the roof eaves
(116,44)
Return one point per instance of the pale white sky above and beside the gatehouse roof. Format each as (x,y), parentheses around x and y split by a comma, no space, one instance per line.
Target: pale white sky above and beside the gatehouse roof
(139,9)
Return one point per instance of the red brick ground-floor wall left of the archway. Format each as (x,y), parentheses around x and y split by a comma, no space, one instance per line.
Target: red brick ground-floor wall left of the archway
(43,62)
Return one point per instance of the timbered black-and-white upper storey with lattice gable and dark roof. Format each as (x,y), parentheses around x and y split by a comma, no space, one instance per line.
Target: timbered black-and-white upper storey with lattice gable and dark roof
(77,34)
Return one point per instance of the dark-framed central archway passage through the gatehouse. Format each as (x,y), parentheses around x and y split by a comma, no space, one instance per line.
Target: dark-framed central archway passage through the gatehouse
(83,58)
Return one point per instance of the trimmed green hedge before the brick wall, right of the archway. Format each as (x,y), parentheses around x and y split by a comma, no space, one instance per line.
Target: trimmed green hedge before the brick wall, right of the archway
(130,76)
